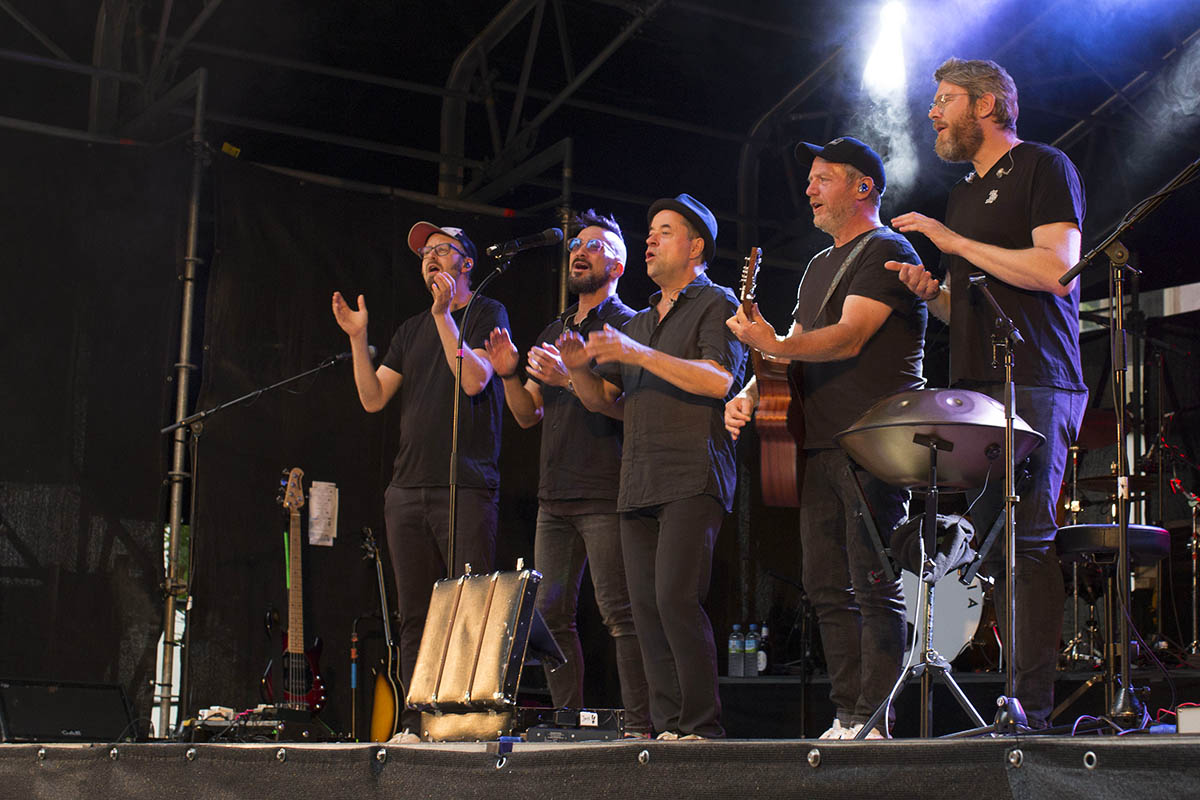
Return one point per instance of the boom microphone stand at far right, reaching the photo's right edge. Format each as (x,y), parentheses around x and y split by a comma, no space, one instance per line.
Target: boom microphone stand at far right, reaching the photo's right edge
(1126,708)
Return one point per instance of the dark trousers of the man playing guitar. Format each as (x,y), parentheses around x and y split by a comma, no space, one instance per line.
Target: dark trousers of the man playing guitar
(862,622)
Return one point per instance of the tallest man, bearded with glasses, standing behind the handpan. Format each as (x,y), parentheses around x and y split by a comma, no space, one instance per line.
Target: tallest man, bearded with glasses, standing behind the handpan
(1017,219)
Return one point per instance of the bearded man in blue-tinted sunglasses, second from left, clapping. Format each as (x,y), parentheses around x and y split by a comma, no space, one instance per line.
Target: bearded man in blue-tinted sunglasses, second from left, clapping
(578,520)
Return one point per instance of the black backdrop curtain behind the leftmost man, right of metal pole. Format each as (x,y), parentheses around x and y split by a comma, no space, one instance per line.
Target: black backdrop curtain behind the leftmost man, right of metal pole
(283,248)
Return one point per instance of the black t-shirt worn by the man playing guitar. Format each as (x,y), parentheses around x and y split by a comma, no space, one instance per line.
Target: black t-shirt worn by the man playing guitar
(838,393)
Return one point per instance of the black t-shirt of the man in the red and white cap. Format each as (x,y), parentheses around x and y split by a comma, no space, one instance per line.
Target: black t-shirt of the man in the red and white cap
(427,404)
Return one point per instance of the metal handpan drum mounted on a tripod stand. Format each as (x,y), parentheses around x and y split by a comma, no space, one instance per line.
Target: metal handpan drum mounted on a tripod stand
(933,441)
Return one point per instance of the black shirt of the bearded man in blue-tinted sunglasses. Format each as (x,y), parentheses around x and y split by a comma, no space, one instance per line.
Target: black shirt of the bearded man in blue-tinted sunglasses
(580,450)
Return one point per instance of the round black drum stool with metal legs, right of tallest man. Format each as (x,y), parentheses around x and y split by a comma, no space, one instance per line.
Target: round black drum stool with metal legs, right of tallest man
(1102,545)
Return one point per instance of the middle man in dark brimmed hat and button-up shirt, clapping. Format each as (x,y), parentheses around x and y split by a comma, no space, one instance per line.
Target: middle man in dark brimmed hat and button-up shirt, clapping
(670,372)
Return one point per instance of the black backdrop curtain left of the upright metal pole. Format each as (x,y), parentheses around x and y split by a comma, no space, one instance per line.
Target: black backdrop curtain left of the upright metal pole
(91,244)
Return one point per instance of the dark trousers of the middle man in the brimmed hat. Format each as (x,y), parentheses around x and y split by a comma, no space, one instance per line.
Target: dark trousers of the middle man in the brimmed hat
(669,562)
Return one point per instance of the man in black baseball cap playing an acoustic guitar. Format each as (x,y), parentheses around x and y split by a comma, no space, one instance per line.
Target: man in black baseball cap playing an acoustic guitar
(854,341)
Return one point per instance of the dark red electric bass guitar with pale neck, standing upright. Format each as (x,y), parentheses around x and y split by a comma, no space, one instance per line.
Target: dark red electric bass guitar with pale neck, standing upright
(303,687)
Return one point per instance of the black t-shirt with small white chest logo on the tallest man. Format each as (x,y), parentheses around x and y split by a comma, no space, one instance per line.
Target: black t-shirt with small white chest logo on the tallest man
(1036,187)
